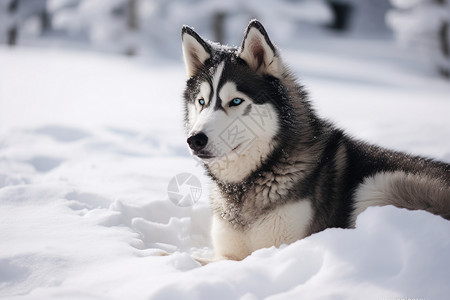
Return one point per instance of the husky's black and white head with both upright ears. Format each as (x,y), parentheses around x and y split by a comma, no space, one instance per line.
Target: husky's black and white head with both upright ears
(230,101)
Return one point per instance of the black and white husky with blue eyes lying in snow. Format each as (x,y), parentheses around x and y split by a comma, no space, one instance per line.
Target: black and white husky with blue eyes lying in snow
(279,172)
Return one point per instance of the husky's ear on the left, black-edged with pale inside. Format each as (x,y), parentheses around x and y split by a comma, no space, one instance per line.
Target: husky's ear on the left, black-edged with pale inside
(195,50)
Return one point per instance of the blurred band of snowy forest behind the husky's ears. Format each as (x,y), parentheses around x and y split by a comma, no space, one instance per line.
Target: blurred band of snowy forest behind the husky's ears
(151,28)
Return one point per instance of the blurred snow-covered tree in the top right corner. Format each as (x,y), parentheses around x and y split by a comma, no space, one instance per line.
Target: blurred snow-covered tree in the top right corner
(424,24)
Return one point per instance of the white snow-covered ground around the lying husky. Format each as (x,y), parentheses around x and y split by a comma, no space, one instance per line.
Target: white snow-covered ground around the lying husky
(88,145)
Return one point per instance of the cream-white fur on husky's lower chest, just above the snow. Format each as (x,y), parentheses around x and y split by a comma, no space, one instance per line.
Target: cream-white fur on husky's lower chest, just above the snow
(283,225)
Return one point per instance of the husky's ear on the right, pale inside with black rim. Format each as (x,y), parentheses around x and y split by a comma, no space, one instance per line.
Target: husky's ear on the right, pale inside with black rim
(258,51)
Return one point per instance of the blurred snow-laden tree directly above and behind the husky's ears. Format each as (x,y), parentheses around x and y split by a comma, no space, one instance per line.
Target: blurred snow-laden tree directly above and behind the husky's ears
(223,19)
